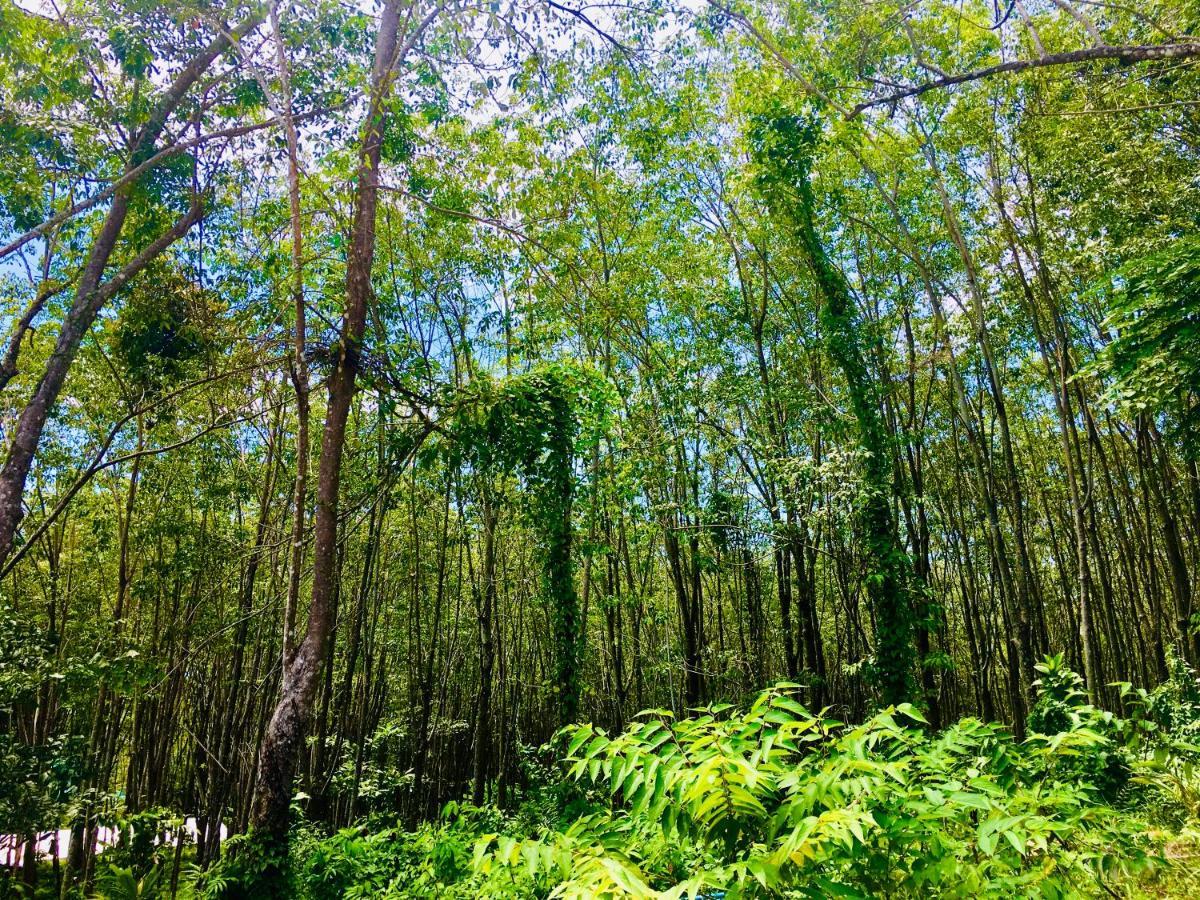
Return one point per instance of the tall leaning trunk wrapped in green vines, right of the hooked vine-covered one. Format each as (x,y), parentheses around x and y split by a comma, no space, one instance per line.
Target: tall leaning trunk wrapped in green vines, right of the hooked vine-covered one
(783,147)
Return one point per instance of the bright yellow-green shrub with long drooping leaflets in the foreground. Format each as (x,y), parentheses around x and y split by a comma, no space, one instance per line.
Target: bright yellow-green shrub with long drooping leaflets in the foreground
(778,800)
